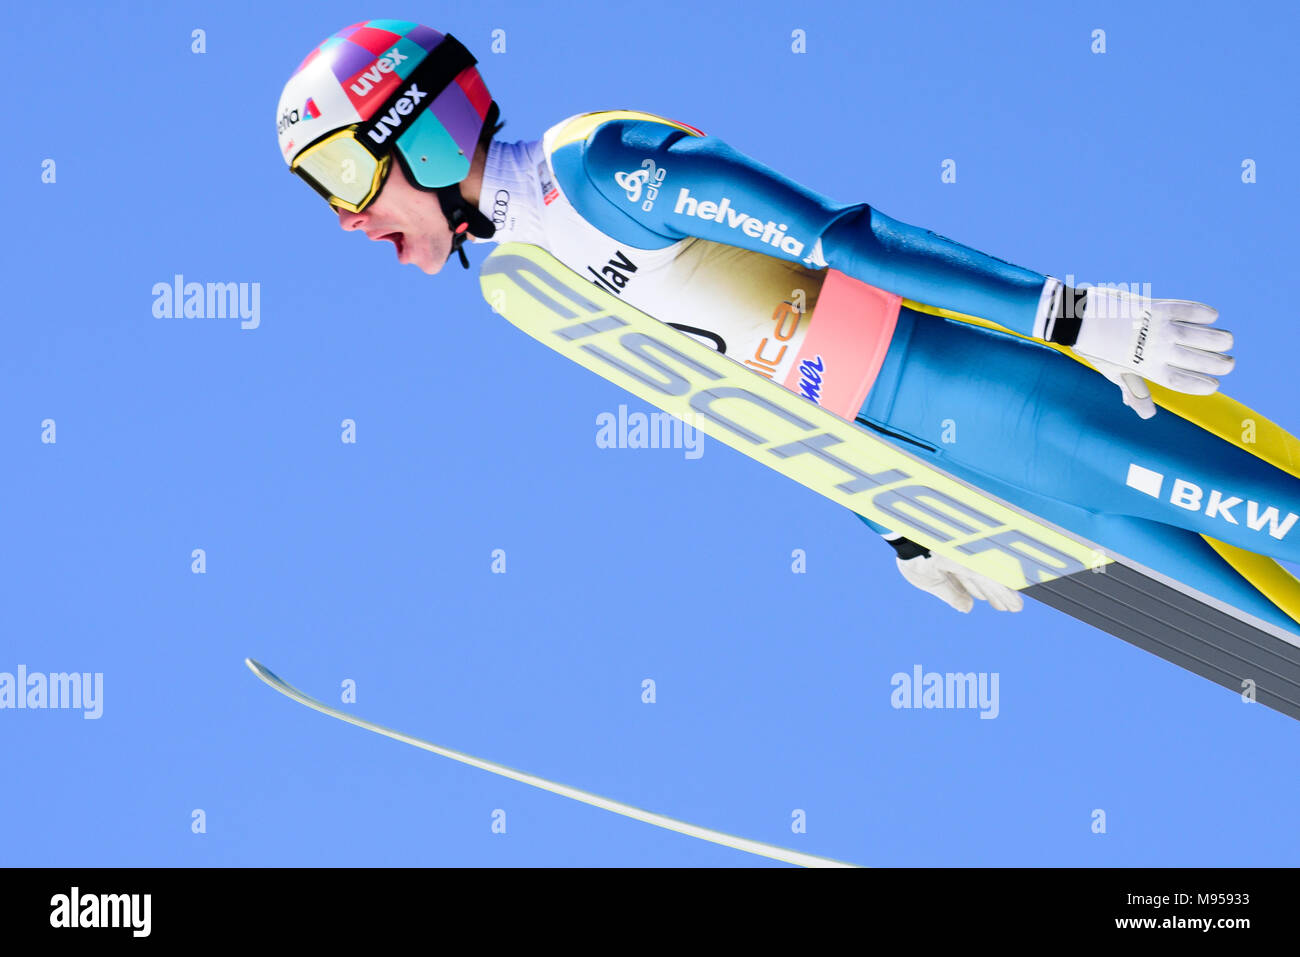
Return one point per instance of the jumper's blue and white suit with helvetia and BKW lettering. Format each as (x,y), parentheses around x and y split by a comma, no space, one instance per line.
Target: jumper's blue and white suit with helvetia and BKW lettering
(935,347)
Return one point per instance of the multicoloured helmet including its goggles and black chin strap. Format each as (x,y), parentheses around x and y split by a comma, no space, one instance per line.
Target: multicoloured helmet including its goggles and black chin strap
(387,90)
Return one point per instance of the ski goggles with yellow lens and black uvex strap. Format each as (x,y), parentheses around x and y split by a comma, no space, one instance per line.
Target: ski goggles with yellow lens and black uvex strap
(350,166)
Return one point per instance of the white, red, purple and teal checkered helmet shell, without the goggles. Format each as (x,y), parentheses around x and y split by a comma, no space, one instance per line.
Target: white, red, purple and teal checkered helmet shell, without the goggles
(349,77)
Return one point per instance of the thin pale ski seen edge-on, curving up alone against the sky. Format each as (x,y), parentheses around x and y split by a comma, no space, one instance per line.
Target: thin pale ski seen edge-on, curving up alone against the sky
(727,841)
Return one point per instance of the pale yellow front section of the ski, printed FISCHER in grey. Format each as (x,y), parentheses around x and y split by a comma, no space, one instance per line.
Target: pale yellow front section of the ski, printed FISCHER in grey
(769,423)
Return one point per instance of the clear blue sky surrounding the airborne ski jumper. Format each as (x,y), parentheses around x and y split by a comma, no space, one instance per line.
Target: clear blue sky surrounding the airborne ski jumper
(371,562)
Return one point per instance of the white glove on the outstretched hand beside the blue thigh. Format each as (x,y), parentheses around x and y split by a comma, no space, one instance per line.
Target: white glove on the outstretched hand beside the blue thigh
(1129,339)
